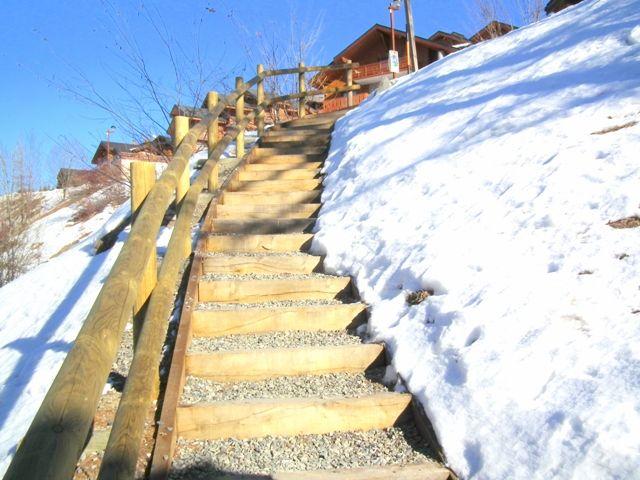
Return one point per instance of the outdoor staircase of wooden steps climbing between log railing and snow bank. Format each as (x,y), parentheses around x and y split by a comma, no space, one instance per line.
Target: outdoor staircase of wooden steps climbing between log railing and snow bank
(252,279)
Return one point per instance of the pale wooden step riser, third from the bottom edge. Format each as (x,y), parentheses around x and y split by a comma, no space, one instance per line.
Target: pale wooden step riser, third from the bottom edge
(254,365)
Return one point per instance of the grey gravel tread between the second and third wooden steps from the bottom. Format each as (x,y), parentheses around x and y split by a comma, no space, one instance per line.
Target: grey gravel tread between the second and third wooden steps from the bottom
(346,385)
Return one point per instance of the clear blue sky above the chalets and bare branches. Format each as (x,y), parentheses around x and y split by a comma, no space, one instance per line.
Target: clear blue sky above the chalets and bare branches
(44,47)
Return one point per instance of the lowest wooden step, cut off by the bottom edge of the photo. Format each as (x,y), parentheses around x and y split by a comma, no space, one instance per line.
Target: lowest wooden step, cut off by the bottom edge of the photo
(419,471)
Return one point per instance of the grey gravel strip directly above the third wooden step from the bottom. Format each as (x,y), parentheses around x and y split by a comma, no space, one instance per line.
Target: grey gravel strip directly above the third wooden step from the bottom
(273,340)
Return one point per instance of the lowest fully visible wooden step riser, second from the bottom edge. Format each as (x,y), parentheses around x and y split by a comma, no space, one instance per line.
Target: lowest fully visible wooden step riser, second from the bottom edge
(288,417)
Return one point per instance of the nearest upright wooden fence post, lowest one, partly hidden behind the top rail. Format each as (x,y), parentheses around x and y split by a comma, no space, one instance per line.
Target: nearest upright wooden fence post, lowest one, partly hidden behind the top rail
(143,177)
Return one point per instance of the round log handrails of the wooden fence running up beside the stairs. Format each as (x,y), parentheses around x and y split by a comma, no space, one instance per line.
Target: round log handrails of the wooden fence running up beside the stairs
(59,431)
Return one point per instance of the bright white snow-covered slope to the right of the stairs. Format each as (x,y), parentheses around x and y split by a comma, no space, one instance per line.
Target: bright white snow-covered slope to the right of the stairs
(489,177)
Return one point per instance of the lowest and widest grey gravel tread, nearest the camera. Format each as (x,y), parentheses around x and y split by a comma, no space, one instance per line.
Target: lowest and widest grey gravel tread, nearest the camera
(212,459)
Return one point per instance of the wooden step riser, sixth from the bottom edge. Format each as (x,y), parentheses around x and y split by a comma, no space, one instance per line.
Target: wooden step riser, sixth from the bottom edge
(263,264)
